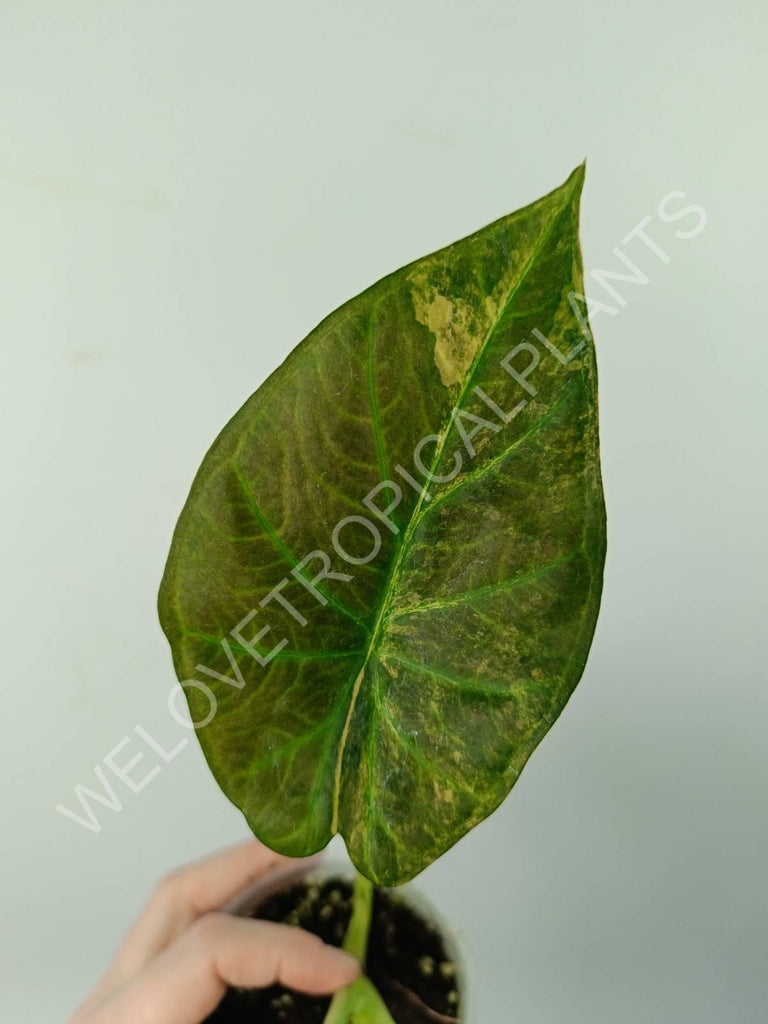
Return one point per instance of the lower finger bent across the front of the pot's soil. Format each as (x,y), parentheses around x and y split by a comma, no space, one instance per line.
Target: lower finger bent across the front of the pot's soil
(188,980)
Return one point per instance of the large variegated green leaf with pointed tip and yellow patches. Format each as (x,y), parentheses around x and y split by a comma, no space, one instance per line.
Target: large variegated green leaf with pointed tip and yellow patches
(408,693)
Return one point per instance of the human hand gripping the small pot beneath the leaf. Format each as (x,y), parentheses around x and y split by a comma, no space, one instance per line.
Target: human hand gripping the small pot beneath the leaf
(183,953)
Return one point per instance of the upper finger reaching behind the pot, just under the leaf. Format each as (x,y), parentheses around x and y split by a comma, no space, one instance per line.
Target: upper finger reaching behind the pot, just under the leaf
(188,893)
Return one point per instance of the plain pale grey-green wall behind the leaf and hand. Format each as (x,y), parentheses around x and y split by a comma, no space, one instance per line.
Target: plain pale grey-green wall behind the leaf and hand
(186,191)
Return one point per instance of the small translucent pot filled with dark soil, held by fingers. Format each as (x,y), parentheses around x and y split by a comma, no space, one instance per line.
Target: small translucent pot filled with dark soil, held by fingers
(415,959)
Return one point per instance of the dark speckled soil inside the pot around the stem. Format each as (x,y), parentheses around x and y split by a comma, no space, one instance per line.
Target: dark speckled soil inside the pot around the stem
(407,961)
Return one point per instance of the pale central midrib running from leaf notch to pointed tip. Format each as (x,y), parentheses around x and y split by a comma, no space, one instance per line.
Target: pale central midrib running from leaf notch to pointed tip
(391,585)
